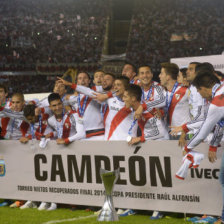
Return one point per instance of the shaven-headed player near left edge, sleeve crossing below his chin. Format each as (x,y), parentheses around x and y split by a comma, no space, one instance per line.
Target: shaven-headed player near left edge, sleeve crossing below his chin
(14,128)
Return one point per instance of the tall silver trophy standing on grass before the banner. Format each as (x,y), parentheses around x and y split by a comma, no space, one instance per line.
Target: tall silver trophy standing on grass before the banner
(108,212)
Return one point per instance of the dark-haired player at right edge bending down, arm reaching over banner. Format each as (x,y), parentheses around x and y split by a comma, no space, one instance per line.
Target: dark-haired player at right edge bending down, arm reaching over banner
(208,86)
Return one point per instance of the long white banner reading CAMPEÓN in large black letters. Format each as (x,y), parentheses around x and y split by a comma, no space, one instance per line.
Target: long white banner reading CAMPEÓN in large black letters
(147,175)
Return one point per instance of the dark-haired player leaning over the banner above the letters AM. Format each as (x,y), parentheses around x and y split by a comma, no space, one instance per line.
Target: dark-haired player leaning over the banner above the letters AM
(66,127)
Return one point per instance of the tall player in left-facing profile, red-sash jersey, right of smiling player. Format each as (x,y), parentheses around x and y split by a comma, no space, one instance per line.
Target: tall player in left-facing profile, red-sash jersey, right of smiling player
(175,99)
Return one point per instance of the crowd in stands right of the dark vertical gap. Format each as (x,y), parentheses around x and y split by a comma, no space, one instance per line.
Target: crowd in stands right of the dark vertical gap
(162,30)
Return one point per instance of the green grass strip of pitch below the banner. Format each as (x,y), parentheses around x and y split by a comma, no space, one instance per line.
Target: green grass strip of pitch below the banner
(33,216)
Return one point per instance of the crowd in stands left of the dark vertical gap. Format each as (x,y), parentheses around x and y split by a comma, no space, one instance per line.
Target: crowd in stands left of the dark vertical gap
(51,31)
